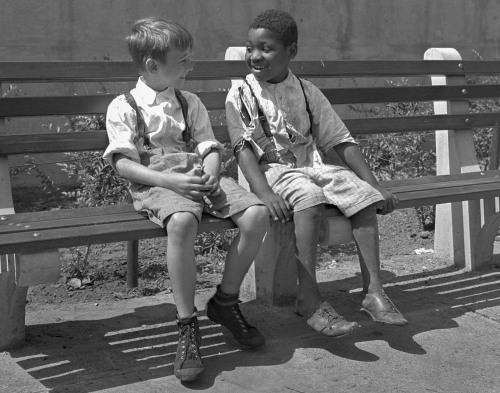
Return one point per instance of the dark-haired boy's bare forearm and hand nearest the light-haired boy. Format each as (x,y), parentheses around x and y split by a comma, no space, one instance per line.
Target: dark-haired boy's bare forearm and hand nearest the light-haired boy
(277,206)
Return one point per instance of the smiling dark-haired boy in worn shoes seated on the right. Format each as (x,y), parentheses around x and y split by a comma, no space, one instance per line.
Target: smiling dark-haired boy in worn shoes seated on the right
(285,135)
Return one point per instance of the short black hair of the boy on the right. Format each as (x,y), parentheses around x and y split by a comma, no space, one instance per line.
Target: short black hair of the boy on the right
(279,22)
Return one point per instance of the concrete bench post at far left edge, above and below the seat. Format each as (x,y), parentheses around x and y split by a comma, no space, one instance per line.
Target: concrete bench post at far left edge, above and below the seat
(12,296)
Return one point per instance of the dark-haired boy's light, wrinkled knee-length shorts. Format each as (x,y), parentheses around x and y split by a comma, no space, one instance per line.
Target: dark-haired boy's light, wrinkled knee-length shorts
(306,187)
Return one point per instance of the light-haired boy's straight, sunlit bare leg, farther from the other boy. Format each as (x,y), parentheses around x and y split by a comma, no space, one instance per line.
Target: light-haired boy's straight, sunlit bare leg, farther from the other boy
(181,229)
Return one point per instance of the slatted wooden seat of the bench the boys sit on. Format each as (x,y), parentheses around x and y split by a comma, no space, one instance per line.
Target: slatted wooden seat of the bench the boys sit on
(38,231)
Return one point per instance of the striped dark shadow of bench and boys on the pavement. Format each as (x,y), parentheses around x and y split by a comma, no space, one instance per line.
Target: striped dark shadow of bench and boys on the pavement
(93,355)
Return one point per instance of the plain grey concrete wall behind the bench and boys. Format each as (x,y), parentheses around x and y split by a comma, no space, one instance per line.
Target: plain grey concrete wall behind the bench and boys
(329,30)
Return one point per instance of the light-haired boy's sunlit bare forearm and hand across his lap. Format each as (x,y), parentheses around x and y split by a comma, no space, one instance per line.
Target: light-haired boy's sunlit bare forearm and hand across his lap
(189,186)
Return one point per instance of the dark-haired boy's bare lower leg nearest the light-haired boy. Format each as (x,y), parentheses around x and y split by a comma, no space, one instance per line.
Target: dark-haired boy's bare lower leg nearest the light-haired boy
(306,240)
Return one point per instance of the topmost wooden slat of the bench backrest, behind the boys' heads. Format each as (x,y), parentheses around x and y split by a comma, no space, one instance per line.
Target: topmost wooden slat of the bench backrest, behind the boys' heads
(219,69)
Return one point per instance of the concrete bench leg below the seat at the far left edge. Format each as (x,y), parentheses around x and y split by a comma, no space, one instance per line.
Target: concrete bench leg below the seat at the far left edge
(12,305)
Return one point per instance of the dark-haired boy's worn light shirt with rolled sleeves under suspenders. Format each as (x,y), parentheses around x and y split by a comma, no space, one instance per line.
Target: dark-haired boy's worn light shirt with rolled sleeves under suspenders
(284,106)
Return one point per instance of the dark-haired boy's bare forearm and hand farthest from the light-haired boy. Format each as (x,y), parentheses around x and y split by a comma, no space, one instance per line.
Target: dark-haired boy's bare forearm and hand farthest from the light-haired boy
(354,159)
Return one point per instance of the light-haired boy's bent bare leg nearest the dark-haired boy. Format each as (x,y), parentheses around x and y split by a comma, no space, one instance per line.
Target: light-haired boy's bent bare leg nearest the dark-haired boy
(253,224)
